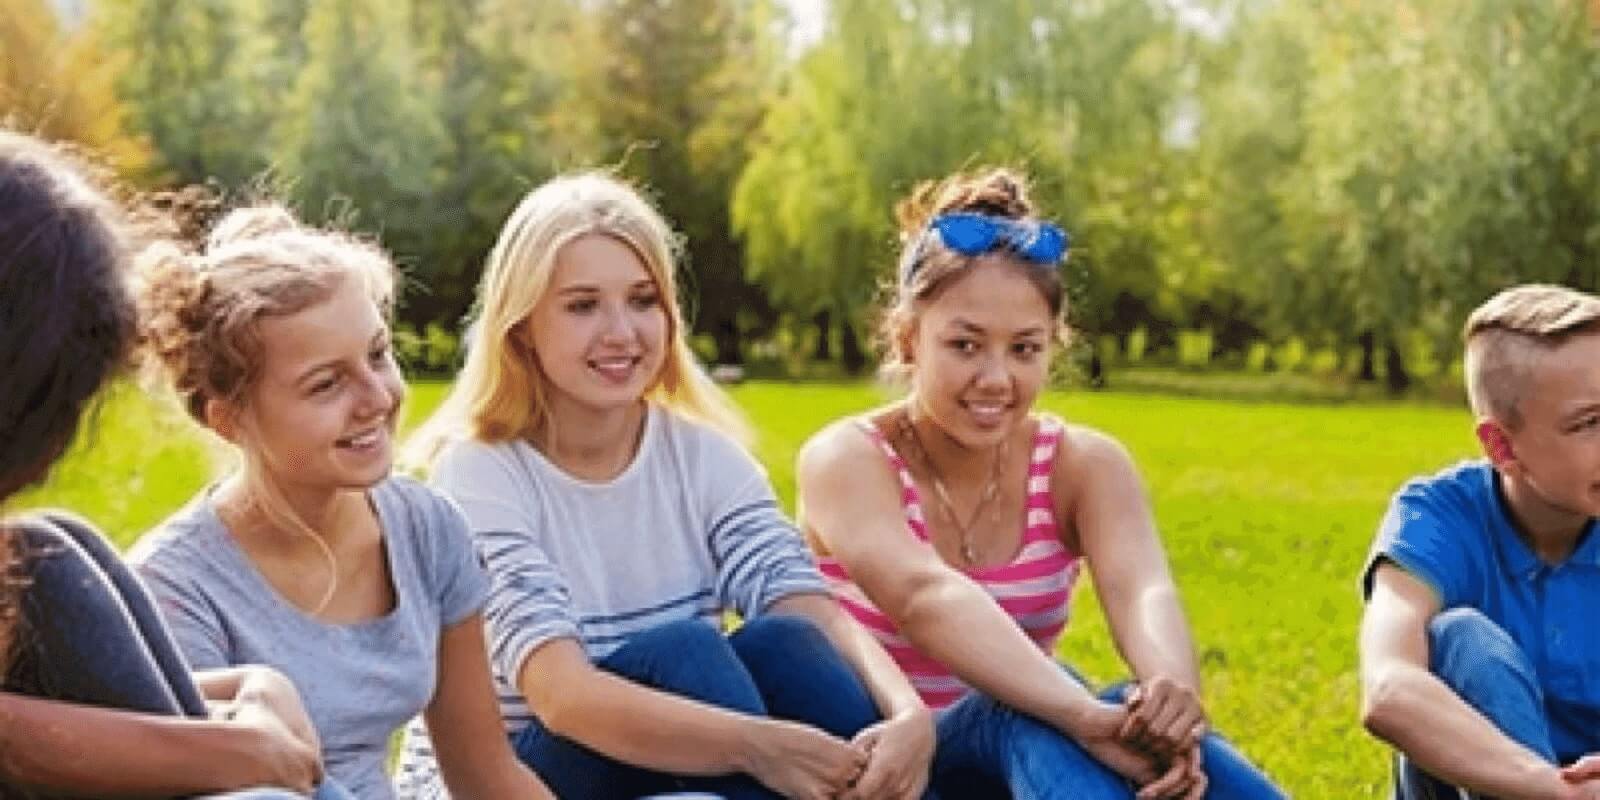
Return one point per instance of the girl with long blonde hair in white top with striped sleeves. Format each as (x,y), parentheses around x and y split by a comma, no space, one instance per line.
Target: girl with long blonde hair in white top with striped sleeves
(606,481)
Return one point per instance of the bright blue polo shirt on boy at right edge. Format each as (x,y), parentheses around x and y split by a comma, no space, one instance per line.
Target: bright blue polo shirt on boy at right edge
(1454,532)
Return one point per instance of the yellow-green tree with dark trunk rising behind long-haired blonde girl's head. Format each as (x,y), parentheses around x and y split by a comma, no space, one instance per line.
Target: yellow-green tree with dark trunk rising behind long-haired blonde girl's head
(671,92)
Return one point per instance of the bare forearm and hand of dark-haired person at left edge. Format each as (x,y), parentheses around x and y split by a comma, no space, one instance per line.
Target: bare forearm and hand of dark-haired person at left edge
(100,753)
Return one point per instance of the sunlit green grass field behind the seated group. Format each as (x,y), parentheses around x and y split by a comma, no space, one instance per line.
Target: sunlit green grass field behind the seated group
(1266,513)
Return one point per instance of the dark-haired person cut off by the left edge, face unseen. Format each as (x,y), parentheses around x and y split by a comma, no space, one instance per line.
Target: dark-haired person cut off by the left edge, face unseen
(97,700)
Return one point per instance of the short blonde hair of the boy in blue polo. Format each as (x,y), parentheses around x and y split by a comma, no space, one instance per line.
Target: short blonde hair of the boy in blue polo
(1506,337)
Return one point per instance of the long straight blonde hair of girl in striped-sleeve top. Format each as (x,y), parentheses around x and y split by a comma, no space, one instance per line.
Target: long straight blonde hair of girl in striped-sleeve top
(502,394)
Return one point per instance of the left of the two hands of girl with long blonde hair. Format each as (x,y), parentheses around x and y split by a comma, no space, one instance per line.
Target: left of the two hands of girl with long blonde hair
(802,762)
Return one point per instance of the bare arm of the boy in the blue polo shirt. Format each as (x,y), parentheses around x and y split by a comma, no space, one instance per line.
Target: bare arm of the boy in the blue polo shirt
(1407,706)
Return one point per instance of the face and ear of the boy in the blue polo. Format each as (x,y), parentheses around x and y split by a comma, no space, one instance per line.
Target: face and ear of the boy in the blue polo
(1551,462)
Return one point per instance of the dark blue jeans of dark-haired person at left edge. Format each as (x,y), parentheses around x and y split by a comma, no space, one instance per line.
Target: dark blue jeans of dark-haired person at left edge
(92,634)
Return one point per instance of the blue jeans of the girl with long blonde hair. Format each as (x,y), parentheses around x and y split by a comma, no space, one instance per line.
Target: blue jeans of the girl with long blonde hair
(775,666)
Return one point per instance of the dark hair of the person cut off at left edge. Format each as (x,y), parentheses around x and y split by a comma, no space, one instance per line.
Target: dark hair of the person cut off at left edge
(66,316)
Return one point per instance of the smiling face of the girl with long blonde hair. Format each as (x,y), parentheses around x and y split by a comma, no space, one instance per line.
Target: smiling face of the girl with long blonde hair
(601,329)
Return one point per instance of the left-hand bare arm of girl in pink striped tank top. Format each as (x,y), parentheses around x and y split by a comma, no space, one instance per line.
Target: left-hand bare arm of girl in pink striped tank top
(852,505)
